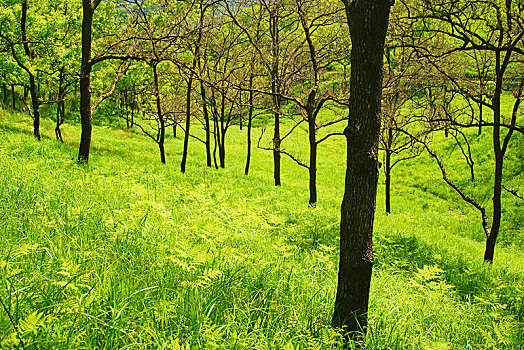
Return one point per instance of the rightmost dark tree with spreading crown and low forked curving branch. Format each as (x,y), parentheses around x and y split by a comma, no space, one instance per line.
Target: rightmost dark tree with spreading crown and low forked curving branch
(485,29)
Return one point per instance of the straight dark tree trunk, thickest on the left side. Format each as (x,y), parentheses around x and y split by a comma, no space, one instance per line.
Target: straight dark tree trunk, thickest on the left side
(85,83)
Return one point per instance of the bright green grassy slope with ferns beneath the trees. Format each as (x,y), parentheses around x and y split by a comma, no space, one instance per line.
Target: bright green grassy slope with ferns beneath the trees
(127,253)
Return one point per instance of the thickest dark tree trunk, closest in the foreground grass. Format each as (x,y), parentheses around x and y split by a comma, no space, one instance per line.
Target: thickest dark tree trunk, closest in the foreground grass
(368,21)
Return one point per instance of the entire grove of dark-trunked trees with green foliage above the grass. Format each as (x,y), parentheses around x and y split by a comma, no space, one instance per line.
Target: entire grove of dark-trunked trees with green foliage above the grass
(326,68)
